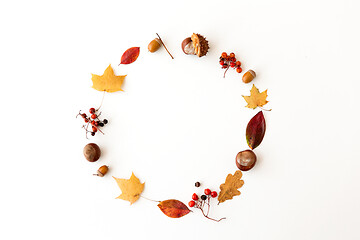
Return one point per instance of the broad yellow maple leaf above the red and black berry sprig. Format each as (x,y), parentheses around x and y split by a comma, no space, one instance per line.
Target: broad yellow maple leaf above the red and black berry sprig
(108,82)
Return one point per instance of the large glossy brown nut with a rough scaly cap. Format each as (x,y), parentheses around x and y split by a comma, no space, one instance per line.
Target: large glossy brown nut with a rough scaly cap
(196,45)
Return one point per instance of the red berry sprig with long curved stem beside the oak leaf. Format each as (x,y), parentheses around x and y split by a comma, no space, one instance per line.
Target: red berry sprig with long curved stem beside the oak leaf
(203,201)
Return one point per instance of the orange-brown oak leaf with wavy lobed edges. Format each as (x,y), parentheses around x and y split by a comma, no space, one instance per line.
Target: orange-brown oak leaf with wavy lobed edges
(228,190)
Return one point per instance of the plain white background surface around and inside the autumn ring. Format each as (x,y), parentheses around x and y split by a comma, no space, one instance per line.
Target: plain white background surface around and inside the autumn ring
(179,121)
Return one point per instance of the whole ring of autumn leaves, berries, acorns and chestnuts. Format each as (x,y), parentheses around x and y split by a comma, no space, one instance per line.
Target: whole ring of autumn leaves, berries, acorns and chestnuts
(132,188)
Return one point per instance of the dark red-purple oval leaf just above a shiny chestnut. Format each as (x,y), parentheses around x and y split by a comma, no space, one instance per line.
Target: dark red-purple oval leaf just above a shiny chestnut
(255,130)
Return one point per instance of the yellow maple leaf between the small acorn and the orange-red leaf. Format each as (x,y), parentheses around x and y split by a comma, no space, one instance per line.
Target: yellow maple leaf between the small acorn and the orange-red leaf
(130,188)
